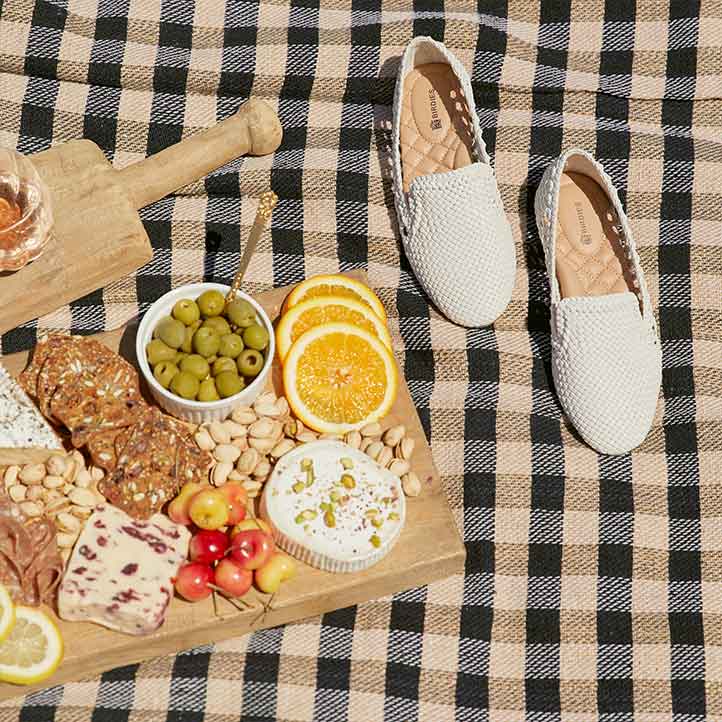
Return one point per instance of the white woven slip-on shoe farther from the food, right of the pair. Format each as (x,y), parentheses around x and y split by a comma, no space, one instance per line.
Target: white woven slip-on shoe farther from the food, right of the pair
(606,356)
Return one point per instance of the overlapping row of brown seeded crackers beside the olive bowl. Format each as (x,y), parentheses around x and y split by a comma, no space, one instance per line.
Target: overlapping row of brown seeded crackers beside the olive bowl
(95,393)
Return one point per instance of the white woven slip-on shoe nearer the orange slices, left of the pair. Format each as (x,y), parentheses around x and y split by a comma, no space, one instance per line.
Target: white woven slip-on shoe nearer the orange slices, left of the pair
(451,218)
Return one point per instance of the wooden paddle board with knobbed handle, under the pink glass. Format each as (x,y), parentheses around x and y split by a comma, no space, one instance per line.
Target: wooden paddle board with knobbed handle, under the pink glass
(98,235)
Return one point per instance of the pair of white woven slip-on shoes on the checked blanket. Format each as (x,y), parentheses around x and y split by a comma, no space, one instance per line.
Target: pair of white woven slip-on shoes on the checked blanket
(606,356)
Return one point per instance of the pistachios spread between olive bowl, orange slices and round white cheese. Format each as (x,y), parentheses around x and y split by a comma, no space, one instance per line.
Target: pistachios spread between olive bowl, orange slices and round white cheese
(247,445)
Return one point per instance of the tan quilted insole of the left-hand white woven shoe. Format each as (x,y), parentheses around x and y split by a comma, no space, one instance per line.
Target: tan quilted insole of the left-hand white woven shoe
(436,134)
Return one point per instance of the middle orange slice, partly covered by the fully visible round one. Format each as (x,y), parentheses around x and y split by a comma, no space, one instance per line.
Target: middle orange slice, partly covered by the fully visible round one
(327,309)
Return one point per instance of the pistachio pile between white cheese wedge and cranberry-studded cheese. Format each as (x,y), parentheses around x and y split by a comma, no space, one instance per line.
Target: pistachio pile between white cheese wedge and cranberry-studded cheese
(62,489)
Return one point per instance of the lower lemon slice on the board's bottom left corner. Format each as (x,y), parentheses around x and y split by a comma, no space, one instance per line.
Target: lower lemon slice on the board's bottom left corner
(33,649)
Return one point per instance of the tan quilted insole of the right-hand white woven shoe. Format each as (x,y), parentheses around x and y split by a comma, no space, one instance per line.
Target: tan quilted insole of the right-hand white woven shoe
(590,258)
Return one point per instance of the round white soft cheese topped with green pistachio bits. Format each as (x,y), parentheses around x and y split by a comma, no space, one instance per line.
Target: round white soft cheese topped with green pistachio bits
(346,547)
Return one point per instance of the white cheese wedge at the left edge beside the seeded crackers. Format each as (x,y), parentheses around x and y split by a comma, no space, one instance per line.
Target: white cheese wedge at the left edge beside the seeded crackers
(21,423)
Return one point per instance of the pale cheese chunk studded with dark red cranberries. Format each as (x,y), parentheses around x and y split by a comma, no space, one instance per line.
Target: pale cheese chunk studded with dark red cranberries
(120,572)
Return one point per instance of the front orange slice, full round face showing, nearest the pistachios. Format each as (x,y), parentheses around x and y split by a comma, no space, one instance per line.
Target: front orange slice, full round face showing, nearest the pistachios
(339,377)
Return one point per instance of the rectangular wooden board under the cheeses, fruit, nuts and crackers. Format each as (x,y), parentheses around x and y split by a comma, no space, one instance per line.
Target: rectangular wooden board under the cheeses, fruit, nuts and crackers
(430,548)
